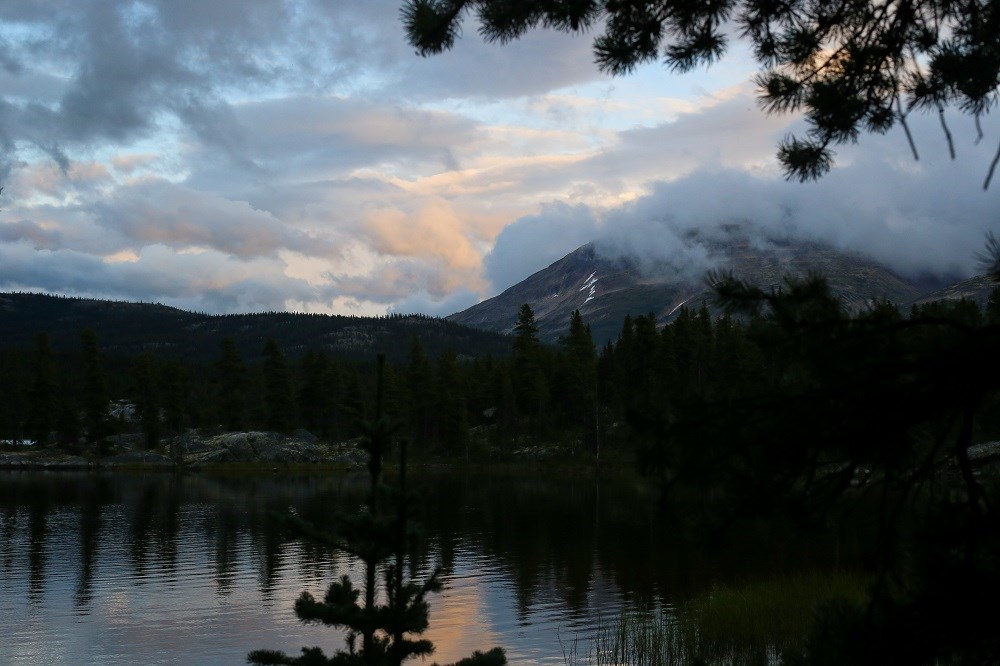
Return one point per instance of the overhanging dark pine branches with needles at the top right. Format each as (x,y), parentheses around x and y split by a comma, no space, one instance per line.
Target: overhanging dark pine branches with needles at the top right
(849,66)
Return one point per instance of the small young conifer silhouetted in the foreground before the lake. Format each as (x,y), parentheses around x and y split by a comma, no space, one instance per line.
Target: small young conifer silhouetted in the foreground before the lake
(380,535)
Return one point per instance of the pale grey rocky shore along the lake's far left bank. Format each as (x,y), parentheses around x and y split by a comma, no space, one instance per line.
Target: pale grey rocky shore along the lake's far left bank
(195,451)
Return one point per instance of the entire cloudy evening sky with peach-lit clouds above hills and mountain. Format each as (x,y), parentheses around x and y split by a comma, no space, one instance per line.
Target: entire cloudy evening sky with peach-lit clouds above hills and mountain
(234,156)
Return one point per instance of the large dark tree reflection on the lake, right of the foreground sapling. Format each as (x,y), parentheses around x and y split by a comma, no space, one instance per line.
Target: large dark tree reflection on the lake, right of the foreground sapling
(554,537)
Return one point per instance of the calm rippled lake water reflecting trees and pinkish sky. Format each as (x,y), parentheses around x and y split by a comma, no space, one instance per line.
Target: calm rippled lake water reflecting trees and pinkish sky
(163,569)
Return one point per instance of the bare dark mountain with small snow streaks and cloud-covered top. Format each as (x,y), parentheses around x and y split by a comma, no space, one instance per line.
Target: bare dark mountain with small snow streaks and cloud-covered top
(606,284)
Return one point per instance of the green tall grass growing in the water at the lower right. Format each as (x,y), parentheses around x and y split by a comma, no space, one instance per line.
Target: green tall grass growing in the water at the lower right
(740,625)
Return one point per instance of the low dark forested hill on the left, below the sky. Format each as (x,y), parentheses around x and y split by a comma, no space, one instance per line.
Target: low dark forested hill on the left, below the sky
(130,328)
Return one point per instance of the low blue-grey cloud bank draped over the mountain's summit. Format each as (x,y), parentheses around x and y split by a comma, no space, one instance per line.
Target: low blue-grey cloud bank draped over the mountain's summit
(926,218)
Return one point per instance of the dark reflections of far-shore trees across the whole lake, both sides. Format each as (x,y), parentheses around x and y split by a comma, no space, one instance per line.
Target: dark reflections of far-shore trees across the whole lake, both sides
(557,541)
